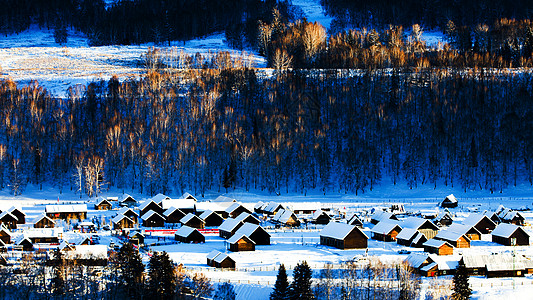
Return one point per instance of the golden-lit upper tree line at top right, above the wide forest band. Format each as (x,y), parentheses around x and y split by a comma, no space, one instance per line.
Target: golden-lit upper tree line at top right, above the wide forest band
(507,43)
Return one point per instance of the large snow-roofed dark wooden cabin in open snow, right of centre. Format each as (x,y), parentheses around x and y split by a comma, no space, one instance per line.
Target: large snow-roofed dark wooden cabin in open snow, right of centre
(343,236)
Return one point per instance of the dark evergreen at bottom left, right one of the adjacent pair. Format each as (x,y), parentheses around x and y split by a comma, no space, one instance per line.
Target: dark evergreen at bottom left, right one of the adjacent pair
(162,278)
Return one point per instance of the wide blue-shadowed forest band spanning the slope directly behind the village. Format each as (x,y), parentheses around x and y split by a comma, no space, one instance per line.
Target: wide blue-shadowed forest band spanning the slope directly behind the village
(295,131)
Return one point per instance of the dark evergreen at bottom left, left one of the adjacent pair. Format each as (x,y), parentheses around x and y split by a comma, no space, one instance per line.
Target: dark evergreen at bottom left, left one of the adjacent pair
(131,269)
